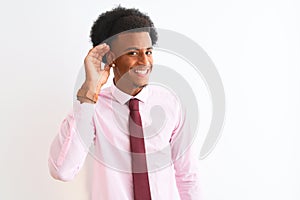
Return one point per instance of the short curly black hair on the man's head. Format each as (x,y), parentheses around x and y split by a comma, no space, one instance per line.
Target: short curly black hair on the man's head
(118,20)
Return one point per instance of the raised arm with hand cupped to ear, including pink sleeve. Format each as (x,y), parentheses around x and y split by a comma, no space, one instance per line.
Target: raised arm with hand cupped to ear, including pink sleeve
(70,147)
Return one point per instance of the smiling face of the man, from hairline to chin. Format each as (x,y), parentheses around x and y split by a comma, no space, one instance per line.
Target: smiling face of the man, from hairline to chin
(133,59)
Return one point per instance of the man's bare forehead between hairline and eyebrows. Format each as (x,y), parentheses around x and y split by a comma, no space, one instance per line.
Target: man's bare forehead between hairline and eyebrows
(123,41)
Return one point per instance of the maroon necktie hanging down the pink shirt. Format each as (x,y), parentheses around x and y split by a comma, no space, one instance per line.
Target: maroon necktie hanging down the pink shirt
(141,186)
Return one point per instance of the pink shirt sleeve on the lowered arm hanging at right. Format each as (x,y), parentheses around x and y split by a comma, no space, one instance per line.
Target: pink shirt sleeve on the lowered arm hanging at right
(186,164)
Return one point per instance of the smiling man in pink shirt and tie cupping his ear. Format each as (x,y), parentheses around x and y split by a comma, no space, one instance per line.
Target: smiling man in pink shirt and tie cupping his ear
(140,155)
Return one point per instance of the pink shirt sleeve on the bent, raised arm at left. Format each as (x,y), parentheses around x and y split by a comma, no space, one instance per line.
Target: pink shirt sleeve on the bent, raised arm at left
(70,147)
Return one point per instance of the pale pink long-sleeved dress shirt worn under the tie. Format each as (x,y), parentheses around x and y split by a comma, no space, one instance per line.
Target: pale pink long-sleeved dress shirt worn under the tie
(102,130)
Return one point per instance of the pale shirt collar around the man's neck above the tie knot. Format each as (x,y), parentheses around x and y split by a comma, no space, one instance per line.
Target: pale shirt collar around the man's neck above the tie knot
(123,97)
